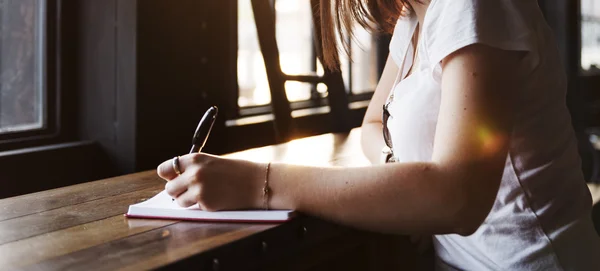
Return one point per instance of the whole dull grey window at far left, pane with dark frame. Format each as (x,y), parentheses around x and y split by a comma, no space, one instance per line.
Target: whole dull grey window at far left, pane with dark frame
(28,73)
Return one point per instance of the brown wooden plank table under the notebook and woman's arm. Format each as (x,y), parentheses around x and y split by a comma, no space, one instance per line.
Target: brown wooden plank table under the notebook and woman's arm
(82,227)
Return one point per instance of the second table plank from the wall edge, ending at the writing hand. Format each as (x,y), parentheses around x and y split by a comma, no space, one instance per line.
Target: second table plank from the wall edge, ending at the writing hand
(57,219)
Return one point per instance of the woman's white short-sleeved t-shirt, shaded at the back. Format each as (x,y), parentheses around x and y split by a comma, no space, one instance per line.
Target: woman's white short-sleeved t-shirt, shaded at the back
(541,217)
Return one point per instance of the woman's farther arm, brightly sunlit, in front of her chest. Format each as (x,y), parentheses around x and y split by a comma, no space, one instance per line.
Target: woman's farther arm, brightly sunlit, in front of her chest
(371,131)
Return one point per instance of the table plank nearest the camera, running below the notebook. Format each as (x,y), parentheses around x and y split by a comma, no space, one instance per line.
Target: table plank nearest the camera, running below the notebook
(153,248)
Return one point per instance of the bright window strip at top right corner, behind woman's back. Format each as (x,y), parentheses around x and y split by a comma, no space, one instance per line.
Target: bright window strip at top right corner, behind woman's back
(590,34)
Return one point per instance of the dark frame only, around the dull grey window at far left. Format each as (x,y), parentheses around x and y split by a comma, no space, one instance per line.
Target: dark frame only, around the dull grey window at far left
(50,132)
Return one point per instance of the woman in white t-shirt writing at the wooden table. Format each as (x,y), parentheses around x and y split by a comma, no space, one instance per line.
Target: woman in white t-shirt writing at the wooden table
(476,135)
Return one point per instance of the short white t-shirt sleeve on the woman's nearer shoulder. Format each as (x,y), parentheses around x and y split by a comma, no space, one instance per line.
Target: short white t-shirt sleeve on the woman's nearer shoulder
(454,24)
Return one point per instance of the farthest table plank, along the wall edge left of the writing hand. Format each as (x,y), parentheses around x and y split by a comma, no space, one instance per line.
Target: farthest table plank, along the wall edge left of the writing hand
(76,194)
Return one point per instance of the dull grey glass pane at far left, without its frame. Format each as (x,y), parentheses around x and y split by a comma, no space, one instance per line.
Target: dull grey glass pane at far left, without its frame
(22,44)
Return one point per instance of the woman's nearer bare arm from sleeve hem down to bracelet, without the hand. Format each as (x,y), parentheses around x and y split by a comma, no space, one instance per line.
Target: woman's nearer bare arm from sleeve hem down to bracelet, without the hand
(453,193)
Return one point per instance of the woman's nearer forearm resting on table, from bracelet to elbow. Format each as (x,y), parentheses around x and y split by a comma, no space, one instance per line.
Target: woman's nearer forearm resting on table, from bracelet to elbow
(395,198)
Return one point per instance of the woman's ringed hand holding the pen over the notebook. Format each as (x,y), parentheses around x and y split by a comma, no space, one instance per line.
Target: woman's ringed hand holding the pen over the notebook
(214,183)
